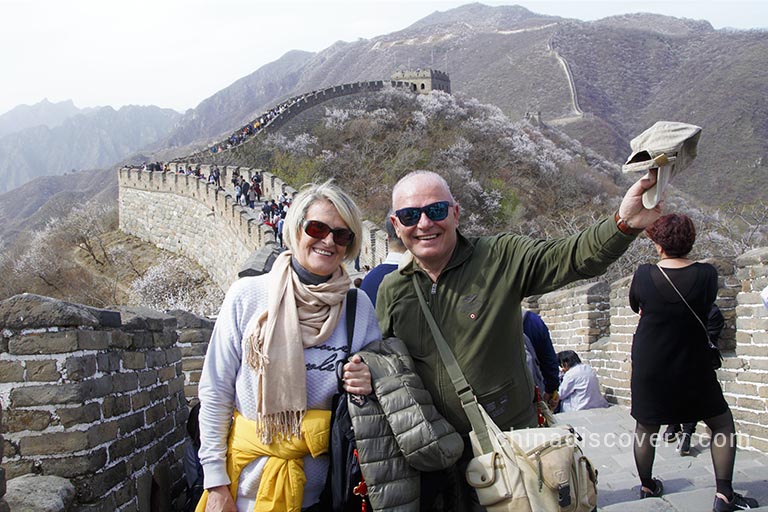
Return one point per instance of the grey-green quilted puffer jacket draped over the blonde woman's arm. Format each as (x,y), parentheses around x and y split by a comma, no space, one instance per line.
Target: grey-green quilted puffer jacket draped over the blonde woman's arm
(398,430)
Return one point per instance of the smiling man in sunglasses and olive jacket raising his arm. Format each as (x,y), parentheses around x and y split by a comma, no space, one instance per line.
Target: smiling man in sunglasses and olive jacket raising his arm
(474,287)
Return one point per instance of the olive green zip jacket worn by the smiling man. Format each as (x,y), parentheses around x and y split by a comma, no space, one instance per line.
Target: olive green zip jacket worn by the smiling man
(476,302)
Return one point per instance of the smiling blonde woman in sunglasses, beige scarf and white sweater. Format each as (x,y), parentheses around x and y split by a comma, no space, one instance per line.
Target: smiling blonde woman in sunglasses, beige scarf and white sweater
(269,376)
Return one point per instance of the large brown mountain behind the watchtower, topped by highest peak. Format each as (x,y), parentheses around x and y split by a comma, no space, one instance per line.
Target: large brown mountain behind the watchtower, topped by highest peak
(628,72)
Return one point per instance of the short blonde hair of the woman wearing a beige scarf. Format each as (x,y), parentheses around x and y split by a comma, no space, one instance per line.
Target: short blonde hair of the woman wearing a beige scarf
(344,204)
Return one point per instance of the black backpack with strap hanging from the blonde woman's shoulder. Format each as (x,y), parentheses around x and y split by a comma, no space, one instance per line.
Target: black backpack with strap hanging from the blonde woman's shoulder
(345,489)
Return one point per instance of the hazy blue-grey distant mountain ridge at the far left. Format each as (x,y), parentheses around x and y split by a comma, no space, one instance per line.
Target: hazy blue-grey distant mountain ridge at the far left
(85,141)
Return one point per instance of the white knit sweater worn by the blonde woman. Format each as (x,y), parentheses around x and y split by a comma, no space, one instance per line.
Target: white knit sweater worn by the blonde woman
(229,383)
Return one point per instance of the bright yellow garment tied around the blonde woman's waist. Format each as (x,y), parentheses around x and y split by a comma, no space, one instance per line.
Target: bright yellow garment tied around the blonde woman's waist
(282,482)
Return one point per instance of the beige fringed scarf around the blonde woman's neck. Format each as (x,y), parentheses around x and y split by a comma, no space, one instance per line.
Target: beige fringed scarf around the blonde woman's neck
(297,316)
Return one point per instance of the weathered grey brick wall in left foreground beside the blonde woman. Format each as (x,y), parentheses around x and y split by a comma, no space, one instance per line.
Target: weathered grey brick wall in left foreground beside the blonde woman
(96,397)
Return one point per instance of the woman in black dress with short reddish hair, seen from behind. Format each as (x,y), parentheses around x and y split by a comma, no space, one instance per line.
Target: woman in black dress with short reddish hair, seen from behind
(672,377)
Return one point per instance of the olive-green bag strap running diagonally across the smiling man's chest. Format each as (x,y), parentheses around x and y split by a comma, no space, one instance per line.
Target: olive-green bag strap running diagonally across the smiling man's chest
(463,389)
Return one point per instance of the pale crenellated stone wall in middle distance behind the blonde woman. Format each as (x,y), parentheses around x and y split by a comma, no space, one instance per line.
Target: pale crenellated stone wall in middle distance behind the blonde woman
(188,216)
